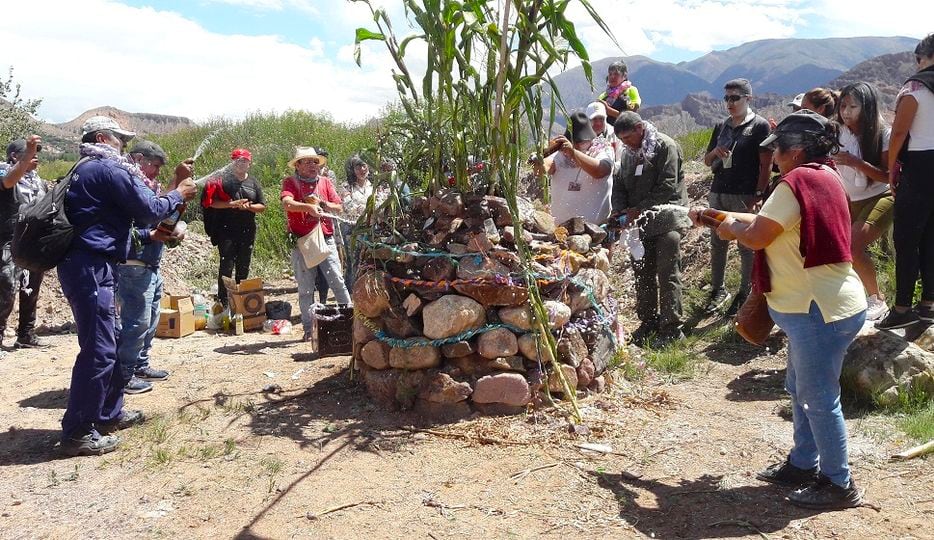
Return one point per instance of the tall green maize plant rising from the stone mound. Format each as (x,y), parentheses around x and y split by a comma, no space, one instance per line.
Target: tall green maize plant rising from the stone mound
(482,94)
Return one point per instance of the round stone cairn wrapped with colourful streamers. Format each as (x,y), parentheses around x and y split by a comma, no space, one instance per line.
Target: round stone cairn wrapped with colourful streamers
(442,318)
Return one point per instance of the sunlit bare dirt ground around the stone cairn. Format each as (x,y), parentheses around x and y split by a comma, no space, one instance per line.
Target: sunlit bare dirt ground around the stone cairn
(252,437)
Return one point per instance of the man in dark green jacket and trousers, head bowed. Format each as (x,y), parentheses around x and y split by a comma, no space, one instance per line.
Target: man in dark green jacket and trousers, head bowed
(650,175)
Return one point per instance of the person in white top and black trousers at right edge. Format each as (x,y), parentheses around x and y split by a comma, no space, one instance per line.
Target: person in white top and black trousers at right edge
(911,175)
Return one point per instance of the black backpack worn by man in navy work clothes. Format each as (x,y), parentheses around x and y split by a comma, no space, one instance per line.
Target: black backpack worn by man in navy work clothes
(42,234)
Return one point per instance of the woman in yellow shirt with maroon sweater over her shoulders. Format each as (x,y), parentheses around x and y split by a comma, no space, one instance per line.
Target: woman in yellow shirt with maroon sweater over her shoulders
(802,238)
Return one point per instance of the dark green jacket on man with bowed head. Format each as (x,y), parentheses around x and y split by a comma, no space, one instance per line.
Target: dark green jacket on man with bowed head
(661,182)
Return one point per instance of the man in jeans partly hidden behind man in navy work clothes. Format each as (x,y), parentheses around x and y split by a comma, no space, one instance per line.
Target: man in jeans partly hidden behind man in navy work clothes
(139,284)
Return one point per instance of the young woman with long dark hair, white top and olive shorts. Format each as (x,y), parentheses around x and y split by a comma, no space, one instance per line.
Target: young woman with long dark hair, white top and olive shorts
(861,161)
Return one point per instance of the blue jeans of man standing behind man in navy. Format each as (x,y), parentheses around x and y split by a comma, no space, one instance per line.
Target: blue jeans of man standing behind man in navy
(139,289)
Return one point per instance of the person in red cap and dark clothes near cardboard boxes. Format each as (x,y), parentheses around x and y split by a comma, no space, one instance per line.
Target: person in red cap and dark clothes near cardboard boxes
(233,200)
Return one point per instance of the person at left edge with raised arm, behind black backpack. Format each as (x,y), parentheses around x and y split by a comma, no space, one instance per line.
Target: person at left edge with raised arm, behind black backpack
(19,186)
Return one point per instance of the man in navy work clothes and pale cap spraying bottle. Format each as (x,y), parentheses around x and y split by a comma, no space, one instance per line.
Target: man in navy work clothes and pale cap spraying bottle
(106,196)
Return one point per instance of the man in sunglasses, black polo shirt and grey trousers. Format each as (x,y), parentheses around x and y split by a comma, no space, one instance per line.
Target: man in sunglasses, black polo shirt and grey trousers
(741,171)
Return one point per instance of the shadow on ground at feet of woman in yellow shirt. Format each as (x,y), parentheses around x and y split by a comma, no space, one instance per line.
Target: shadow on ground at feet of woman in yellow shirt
(697,509)
